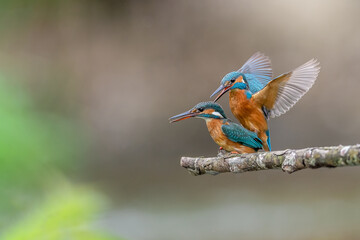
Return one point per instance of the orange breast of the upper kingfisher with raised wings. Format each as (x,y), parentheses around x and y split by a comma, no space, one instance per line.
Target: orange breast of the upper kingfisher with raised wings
(246,111)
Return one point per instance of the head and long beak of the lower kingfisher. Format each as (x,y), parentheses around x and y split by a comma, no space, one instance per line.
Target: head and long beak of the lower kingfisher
(204,110)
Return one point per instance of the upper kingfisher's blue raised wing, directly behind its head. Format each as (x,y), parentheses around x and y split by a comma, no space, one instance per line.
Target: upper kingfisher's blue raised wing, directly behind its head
(257,70)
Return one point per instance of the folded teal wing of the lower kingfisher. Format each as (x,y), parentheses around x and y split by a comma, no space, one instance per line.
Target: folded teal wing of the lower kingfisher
(237,133)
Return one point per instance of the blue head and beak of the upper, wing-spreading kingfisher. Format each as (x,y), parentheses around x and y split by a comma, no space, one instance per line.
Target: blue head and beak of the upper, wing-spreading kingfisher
(231,80)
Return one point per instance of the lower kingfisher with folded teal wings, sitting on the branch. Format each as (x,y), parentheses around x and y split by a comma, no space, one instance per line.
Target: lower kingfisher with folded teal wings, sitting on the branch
(228,135)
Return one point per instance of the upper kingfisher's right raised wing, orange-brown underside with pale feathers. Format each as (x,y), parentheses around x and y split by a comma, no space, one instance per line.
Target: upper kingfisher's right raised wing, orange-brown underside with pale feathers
(284,91)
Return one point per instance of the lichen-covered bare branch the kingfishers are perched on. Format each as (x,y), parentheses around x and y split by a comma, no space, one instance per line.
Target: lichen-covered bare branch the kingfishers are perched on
(288,160)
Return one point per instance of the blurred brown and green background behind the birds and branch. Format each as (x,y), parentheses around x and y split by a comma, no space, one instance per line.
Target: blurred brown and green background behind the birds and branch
(86,90)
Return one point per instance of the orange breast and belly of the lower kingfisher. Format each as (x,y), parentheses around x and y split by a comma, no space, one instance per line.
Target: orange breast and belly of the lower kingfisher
(214,127)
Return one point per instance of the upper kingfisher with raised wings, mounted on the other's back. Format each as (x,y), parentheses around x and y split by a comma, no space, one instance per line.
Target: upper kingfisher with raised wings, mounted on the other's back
(254,97)
